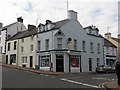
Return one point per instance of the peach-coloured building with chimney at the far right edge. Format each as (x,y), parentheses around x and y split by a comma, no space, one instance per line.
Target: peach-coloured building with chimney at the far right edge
(115,41)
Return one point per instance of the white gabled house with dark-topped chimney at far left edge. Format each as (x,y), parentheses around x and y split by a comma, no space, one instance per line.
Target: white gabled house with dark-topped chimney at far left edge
(8,31)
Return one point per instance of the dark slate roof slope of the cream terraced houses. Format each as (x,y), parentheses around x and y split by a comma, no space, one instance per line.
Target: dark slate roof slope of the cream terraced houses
(24,34)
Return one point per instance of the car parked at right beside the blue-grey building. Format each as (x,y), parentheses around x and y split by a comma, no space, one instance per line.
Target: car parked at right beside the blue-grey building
(105,69)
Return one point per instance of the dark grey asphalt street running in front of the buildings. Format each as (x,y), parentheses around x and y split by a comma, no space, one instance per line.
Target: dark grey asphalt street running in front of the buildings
(13,78)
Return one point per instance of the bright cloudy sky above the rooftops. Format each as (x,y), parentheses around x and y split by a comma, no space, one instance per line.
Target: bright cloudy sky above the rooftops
(101,13)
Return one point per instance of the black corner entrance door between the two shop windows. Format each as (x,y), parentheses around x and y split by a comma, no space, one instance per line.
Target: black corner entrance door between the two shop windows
(59,63)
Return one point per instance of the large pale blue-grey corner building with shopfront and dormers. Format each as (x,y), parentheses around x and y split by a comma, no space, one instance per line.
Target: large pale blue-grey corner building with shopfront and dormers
(65,46)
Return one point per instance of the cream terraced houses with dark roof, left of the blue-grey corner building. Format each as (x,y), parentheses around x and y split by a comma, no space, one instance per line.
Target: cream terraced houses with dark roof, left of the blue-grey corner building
(21,48)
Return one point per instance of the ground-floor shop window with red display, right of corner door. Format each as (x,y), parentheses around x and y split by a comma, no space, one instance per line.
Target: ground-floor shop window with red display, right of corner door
(74,61)
